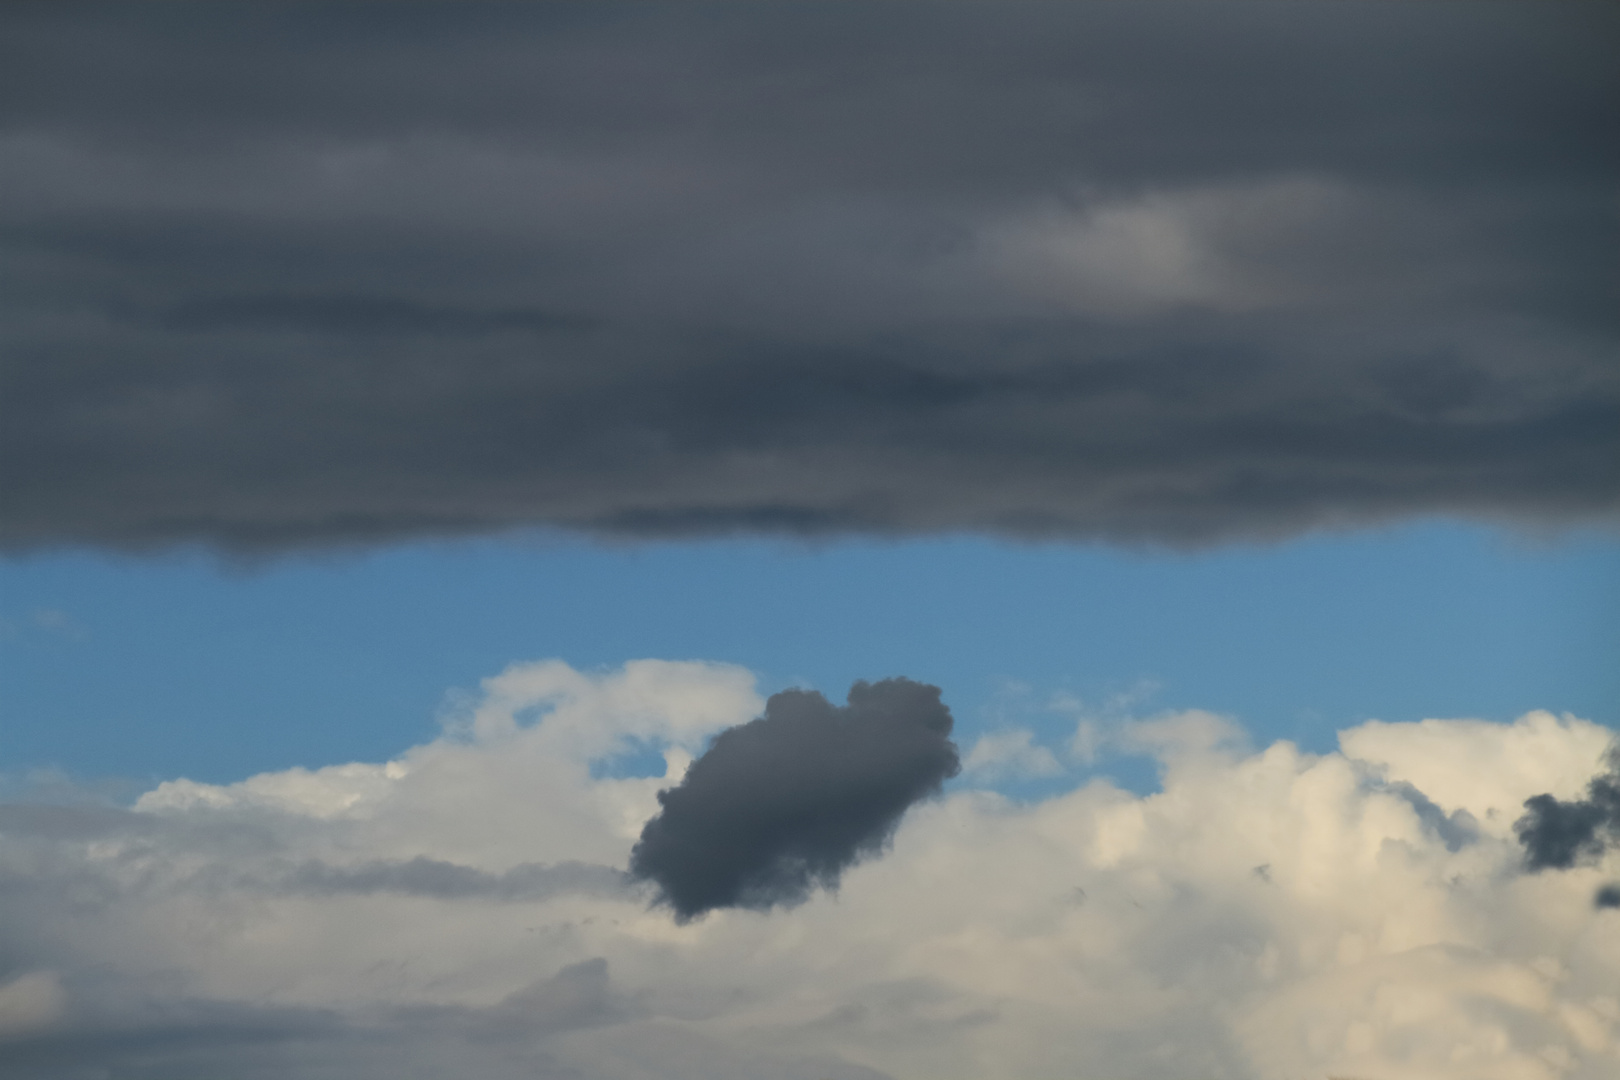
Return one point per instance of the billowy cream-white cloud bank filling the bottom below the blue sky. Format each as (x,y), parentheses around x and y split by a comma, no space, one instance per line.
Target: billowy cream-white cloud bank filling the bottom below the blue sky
(1268,914)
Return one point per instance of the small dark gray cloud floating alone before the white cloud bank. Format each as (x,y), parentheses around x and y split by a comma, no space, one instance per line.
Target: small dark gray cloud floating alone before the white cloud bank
(790,801)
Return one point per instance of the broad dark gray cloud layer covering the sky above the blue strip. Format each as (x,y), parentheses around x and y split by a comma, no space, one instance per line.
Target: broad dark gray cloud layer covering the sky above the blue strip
(333,274)
